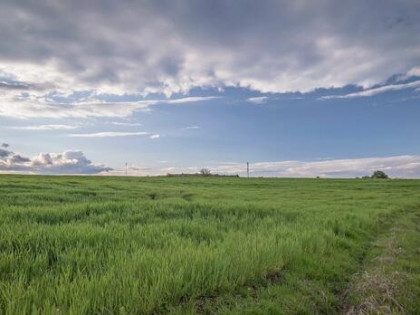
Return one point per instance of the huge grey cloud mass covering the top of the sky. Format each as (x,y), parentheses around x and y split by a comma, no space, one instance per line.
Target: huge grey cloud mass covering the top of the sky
(172,47)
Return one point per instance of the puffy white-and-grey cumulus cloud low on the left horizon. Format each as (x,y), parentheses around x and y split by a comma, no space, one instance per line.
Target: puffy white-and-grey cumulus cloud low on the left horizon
(69,162)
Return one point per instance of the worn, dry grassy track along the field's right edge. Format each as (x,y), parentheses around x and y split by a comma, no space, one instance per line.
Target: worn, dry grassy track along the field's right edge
(389,280)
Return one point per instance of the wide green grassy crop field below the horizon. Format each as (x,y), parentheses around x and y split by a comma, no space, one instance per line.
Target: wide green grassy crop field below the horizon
(105,245)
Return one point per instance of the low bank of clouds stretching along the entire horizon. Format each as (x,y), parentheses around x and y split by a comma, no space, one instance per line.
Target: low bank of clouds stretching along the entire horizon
(74,162)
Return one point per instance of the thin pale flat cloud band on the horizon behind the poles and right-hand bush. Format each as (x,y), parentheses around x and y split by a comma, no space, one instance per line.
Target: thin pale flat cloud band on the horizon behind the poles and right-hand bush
(404,166)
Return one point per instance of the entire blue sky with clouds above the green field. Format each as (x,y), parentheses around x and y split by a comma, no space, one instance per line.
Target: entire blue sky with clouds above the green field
(298,88)
